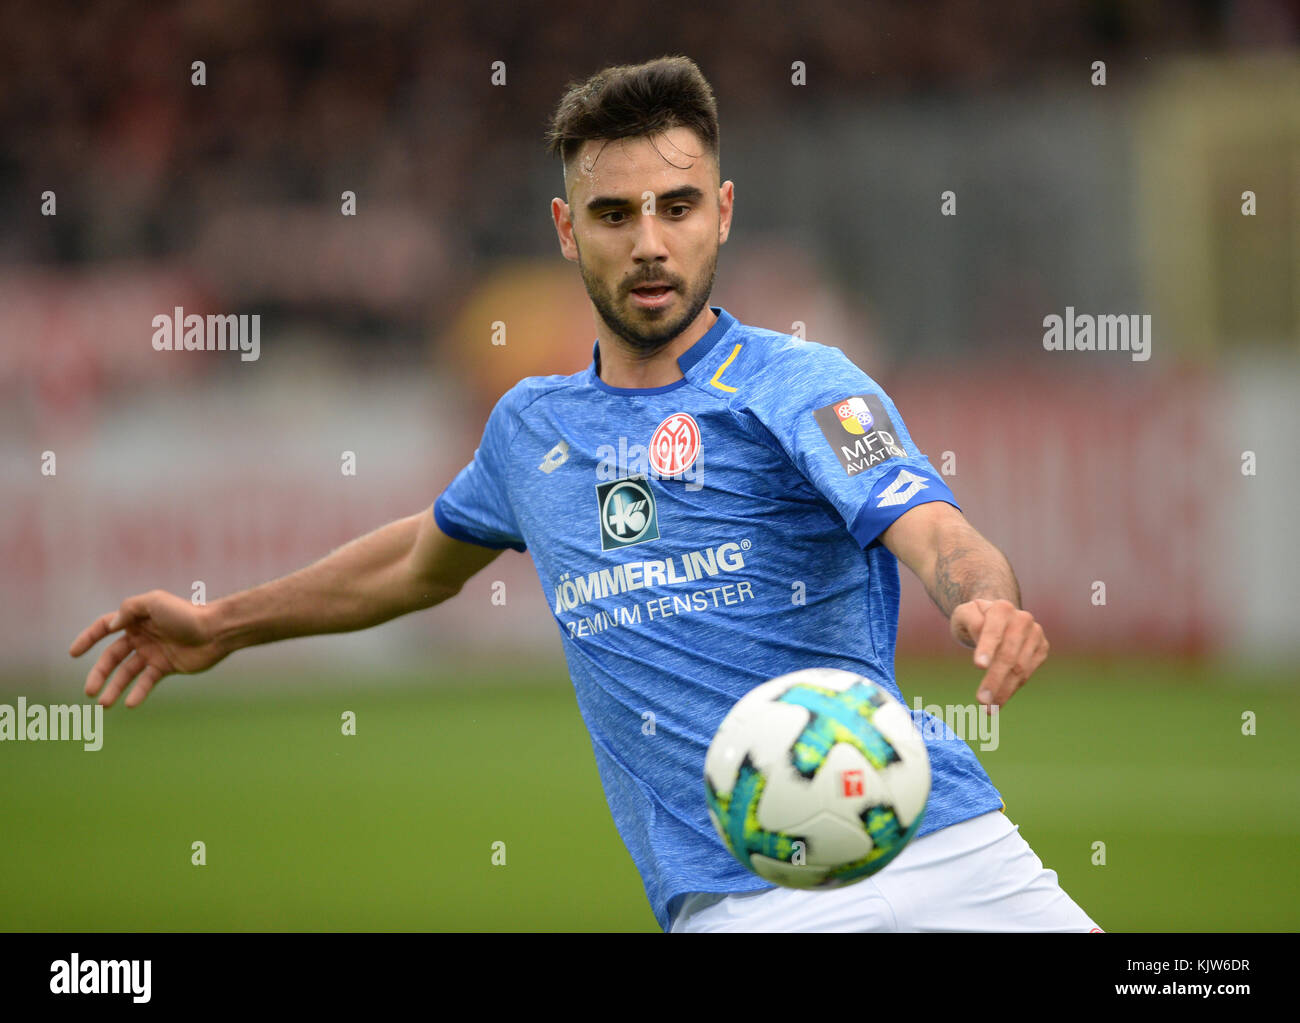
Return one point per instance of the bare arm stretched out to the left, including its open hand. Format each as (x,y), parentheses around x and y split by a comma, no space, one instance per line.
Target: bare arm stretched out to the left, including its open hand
(402,567)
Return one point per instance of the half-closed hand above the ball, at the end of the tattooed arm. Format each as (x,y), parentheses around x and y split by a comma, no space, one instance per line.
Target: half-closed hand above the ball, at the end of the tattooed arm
(1009,644)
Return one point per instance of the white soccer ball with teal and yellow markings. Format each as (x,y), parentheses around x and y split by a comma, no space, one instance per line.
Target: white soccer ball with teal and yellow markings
(817,779)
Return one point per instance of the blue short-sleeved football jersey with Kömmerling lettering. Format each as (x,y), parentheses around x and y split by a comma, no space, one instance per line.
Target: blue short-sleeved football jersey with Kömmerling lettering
(695,541)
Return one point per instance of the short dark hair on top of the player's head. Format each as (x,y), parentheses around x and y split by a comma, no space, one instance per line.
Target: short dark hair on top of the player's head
(632,101)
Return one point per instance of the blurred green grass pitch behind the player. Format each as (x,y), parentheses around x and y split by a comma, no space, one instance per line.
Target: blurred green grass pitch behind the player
(392,830)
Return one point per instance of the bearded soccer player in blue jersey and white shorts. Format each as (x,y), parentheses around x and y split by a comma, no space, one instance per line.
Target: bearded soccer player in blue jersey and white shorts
(677,496)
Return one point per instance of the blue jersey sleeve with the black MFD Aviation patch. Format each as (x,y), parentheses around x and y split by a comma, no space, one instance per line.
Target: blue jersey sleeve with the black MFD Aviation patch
(846,436)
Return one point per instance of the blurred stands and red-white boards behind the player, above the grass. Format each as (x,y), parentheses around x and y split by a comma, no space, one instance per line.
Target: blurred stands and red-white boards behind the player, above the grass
(226,198)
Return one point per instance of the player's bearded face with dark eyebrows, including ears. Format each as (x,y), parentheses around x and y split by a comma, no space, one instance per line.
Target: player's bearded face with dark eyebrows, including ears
(623,250)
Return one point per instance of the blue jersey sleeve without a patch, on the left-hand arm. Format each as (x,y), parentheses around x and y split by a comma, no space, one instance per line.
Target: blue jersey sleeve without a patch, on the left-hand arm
(476,506)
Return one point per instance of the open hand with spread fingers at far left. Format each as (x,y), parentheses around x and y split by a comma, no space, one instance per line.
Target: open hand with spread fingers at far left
(162,635)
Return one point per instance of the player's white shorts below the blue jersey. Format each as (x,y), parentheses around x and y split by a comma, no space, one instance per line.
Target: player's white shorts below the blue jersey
(978,875)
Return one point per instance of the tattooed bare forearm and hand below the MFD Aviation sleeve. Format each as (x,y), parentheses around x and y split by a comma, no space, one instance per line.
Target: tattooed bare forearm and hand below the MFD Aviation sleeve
(973,584)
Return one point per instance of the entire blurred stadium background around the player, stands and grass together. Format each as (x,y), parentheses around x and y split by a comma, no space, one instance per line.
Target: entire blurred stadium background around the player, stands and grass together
(376,339)
